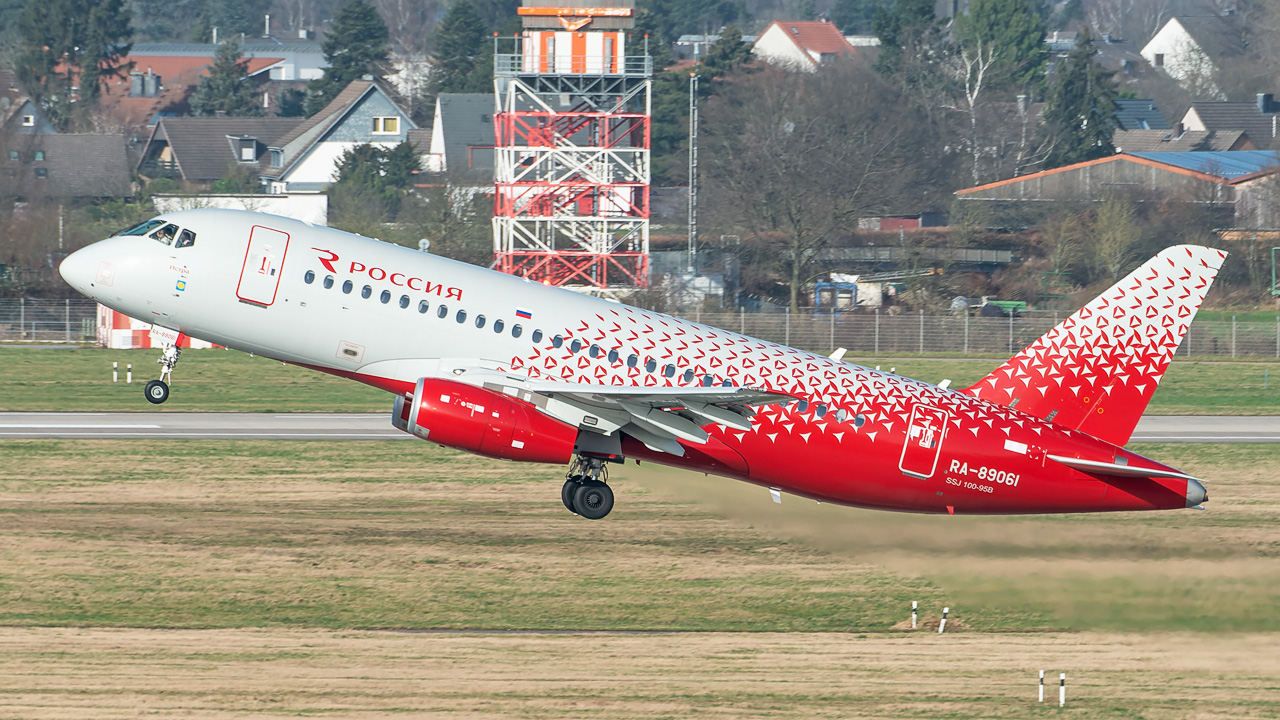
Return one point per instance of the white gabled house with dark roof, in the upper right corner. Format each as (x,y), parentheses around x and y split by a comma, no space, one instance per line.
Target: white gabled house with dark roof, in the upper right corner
(1190,51)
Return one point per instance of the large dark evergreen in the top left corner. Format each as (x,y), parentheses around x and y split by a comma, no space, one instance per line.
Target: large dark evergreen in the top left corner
(70,44)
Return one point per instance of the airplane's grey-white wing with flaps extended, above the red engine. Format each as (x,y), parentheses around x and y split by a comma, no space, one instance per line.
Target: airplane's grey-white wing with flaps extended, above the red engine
(659,417)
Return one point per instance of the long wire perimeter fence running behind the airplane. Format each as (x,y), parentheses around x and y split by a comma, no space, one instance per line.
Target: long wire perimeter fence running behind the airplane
(862,334)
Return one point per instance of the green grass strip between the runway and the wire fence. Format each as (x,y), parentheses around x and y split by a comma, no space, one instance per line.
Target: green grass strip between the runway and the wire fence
(80,380)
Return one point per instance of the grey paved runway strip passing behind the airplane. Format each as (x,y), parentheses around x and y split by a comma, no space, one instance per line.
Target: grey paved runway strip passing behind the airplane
(377,426)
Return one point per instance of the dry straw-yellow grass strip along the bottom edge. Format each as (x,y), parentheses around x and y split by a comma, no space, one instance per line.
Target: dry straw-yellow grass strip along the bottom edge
(211,675)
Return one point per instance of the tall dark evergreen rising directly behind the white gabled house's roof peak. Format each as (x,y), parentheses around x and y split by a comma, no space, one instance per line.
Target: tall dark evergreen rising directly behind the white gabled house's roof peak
(356,47)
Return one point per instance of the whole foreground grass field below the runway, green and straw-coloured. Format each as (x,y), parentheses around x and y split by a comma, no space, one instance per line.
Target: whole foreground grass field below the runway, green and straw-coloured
(217,580)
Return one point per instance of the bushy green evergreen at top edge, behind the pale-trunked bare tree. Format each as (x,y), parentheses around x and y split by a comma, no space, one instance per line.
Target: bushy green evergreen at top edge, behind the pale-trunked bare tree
(1016,29)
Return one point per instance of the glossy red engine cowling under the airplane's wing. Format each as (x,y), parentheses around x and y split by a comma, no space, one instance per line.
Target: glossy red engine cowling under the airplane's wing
(483,422)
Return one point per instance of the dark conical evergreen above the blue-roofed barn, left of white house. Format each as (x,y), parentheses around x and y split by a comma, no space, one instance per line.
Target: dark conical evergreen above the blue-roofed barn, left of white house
(1081,113)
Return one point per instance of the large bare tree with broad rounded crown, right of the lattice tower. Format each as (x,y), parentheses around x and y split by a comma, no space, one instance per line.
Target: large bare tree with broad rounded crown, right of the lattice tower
(793,161)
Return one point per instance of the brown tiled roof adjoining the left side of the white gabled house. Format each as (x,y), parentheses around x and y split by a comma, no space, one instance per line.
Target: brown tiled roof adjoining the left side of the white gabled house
(202,148)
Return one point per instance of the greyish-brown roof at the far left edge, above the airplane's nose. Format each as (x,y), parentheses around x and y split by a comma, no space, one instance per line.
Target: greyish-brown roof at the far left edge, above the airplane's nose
(76,166)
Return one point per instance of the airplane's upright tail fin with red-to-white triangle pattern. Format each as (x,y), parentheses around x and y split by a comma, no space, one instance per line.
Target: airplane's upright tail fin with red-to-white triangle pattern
(1098,371)
